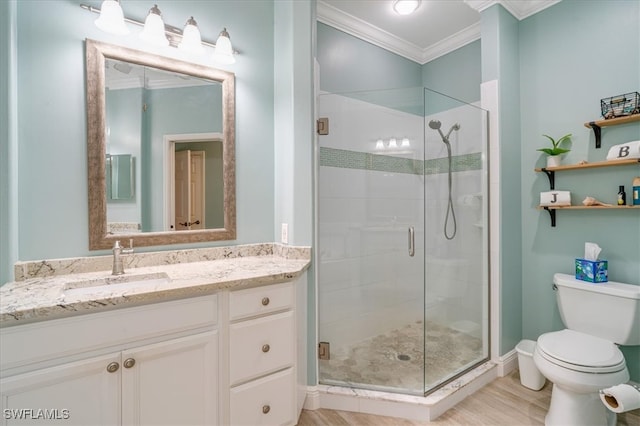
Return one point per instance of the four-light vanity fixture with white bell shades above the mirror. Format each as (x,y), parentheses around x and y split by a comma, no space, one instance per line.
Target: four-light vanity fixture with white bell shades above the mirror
(155,31)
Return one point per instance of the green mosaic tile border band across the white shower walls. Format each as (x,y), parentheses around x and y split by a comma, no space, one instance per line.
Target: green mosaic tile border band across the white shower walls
(345,159)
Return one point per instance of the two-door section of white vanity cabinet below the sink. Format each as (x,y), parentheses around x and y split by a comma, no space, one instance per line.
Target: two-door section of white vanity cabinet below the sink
(154,364)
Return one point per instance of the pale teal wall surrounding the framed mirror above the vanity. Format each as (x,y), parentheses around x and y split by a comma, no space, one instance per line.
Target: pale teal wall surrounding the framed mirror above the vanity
(49,170)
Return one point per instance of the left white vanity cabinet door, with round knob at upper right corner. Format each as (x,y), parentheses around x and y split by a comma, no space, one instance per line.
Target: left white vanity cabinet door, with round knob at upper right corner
(76,393)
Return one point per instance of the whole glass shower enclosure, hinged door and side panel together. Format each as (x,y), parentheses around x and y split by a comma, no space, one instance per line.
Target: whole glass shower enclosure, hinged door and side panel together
(402,240)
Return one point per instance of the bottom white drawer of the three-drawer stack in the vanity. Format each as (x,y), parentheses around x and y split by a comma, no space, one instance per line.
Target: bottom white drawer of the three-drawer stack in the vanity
(266,401)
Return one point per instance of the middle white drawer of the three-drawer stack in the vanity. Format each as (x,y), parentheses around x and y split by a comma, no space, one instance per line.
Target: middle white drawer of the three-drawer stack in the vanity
(261,346)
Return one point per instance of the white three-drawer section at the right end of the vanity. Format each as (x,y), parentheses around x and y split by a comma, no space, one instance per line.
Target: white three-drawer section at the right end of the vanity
(264,368)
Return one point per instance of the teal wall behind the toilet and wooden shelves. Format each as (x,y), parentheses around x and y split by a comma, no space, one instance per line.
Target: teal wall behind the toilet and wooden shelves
(568,62)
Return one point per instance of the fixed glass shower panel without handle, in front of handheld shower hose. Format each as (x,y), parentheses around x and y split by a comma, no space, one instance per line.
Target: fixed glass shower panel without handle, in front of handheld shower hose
(456,238)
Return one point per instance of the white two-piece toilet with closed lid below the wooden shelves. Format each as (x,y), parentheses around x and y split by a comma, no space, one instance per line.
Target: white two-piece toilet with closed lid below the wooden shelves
(585,358)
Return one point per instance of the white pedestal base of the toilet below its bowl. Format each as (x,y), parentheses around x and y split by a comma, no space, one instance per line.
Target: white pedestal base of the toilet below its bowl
(577,409)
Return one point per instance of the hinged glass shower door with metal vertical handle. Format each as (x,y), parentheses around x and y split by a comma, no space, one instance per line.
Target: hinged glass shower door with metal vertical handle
(370,240)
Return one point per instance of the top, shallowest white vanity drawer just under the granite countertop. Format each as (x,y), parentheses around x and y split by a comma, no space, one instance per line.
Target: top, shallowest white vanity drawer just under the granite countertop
(260,300)
